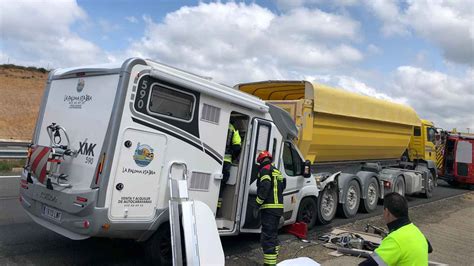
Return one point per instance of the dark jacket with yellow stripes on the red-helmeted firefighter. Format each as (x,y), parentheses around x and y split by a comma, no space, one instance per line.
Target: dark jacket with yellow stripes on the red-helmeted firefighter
(270,186)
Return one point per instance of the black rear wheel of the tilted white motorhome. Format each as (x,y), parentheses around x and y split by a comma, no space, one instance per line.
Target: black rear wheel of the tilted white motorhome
(159,247)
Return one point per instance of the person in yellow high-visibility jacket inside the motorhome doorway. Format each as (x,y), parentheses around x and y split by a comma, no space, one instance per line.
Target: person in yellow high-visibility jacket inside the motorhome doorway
(232,152)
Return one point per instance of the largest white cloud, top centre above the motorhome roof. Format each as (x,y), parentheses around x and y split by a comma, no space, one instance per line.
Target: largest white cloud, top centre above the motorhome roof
(238,42)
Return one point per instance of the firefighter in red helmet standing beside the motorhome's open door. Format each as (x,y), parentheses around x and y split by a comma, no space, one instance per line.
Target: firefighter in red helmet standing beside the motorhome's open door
(270,186)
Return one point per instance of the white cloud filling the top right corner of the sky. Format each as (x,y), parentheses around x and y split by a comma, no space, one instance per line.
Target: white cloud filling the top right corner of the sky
(447,24)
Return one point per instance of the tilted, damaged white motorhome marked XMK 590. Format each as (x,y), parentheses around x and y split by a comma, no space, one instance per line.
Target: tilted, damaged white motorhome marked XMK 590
(108,138)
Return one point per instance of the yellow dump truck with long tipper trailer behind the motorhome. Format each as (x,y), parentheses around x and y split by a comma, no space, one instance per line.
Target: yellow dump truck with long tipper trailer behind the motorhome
(356,144)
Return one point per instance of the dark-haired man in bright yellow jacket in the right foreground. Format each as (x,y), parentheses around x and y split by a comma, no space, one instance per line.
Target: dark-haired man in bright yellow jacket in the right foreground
(405,244)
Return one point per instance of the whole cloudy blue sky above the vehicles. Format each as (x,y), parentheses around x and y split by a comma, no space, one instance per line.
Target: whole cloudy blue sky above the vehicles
(416,52)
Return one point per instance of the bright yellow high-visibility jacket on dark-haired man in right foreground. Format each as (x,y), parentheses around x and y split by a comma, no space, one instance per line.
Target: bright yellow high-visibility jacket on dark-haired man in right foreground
(405,245)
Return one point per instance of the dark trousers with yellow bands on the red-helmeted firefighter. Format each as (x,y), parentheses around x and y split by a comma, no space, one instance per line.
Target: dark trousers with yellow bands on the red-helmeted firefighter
(269,237)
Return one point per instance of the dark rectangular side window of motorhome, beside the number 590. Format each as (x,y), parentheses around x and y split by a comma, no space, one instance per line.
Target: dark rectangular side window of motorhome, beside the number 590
(170,102)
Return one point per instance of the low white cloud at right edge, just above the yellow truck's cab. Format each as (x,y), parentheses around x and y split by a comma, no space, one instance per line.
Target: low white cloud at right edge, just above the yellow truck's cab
(444,99)
